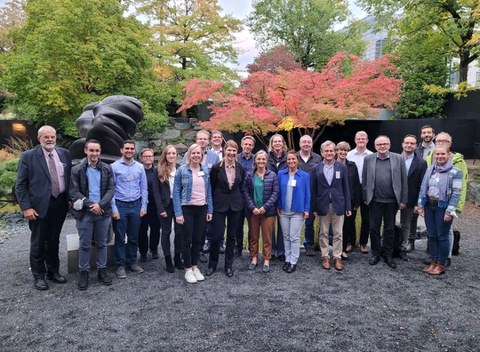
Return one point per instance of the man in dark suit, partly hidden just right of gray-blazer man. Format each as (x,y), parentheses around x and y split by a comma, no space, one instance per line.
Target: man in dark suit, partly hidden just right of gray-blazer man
(416,168)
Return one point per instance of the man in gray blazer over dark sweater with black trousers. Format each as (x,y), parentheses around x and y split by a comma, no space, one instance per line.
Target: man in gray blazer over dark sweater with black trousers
(385,190)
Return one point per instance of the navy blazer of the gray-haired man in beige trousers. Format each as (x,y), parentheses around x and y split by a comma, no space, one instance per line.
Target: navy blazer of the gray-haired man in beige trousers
(338,193)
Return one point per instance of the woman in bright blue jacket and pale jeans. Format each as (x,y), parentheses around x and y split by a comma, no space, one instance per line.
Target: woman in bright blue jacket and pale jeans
(293,208)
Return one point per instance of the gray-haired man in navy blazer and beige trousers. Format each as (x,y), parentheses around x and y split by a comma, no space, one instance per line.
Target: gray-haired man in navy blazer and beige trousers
(330,201)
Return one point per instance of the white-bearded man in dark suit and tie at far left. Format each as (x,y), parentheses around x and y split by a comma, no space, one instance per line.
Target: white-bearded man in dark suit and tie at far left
(42,193)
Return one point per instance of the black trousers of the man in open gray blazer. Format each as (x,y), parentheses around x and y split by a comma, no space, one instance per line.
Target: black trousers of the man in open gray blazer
(378,212)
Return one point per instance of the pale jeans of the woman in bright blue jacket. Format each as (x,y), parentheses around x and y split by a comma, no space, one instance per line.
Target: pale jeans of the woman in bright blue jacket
(292,224)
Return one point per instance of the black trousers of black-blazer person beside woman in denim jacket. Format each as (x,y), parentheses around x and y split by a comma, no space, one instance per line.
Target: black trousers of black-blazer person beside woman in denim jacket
(219,218)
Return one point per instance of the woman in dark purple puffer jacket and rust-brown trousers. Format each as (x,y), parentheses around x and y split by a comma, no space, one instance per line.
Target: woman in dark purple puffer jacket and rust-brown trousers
(261,193)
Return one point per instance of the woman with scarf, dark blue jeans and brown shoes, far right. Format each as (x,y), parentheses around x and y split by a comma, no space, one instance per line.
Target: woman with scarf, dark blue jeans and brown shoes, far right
(439,195)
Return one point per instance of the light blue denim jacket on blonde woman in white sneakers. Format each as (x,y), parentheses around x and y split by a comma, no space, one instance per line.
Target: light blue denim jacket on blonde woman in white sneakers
(182,188)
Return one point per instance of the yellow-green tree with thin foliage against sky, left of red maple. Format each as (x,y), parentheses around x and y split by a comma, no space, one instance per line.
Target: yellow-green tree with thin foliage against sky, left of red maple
(192,40)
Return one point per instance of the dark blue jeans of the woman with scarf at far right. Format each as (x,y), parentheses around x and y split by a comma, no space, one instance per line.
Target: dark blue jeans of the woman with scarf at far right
(438,233)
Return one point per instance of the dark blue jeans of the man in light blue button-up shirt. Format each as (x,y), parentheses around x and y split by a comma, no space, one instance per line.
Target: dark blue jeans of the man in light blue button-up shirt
(127,227)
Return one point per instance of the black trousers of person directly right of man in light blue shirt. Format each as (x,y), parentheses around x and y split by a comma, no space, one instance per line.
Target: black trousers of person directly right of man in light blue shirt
(151,219)
